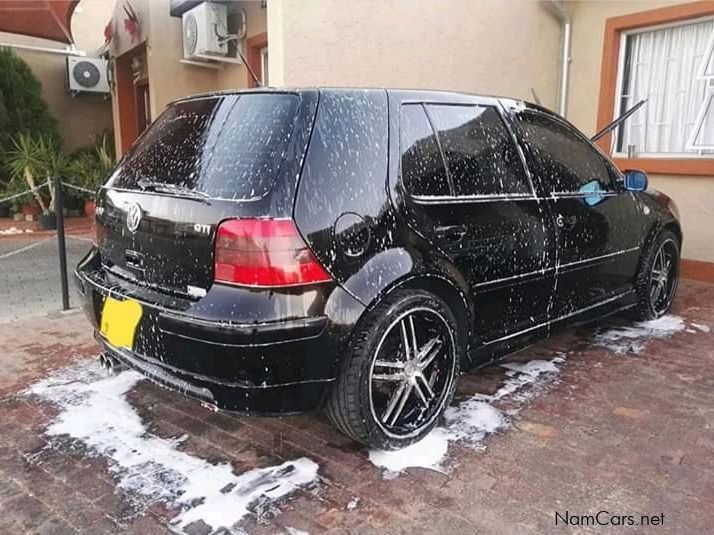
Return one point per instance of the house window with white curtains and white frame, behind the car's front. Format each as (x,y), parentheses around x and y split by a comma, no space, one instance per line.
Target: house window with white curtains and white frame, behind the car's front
(673,68)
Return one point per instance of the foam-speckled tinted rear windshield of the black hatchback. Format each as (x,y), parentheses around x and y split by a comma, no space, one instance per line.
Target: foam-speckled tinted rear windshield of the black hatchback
(227,147)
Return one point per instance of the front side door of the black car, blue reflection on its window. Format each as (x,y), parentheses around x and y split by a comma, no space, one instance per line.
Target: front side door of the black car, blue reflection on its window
(596,220)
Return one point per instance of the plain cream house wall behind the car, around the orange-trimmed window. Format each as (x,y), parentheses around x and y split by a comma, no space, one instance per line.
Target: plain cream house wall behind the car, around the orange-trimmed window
(478,46)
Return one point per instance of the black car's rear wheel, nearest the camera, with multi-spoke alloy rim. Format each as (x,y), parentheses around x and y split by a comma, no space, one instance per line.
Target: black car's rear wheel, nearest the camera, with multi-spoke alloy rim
(380,363)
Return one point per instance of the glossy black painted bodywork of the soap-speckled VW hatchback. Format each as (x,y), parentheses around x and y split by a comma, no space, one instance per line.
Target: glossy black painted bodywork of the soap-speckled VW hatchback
(504,264)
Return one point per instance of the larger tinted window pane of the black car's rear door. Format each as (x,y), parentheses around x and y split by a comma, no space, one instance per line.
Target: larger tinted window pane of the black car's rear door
(480,154)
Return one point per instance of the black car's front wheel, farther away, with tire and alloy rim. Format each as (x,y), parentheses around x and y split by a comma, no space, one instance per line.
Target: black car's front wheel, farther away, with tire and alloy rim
(652,302)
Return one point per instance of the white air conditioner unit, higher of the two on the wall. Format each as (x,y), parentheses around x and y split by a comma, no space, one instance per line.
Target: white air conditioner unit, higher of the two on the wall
(202,27)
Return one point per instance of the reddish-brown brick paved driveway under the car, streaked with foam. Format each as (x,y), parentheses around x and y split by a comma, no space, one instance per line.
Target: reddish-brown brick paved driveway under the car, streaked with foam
(621,422)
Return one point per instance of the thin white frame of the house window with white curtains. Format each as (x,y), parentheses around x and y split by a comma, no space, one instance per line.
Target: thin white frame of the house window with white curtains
(617,109)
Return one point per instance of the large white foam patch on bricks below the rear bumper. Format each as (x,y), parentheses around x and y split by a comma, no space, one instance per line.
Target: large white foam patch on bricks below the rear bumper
(93,409)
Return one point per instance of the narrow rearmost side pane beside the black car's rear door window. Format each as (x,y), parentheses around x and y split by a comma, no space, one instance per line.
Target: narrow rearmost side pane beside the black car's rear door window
(423,170)
